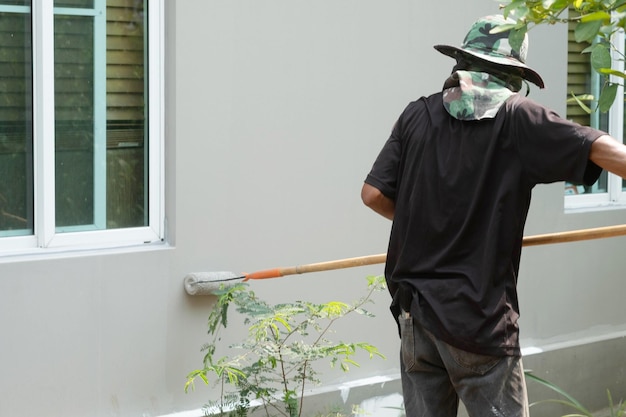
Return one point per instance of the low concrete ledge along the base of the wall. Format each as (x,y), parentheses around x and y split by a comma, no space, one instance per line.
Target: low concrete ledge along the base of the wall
(583,370)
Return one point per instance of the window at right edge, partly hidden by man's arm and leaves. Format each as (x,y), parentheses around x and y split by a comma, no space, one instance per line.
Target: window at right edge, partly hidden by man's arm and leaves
(610,190)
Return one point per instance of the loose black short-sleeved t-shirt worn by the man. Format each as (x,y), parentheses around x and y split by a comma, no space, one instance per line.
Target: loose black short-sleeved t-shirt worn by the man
(462,190)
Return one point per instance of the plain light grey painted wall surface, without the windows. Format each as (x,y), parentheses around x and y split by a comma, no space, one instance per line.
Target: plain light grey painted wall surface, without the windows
(275,112)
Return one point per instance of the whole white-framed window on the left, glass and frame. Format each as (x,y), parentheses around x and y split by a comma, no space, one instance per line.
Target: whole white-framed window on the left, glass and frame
(80,123)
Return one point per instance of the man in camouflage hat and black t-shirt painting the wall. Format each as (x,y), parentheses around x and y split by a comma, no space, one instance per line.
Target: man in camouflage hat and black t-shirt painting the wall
(456,177)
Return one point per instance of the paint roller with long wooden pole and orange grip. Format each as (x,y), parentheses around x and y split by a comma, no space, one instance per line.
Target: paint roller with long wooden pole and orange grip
(205,283)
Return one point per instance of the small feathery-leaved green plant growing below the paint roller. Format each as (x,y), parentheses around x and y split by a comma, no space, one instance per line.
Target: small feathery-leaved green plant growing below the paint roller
(276,358)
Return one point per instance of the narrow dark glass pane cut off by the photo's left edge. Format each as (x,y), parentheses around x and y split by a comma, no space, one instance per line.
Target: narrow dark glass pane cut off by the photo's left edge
(16,161)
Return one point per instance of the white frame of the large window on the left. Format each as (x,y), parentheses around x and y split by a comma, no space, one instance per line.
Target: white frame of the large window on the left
(47,238)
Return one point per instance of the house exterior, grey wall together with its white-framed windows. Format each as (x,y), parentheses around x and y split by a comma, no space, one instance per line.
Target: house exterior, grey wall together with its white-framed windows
(147,140)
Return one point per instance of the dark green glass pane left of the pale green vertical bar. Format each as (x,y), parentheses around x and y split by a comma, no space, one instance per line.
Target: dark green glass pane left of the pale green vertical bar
(74,126)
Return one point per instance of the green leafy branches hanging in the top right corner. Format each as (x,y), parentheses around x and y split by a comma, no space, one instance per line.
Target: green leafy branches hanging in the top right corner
(596,22)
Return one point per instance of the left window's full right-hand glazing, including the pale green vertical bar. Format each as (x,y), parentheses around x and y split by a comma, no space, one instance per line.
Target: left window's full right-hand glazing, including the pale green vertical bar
(100,117)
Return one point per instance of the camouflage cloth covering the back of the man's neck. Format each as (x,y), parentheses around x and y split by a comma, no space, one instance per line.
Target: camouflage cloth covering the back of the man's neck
(471,95)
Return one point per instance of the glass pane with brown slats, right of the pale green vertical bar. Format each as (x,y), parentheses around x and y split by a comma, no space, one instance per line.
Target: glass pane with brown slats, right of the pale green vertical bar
(126,98)
